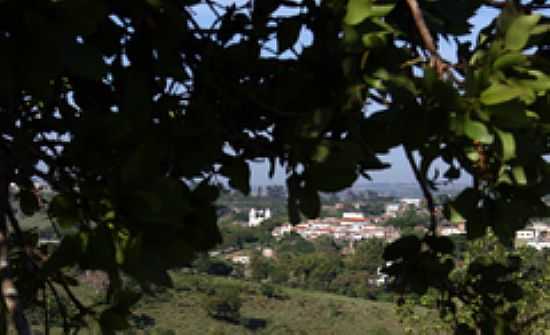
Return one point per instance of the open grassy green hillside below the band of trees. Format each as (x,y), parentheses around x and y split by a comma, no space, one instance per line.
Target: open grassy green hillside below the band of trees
(301,312)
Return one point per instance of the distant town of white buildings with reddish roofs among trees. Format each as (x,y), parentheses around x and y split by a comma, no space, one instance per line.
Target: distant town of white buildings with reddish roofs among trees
(363,214)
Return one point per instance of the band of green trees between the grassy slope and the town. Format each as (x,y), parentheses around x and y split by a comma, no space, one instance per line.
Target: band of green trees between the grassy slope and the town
(317,265)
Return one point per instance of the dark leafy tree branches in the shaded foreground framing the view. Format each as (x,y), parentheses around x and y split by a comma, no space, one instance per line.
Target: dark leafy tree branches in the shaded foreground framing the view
(133,110)
